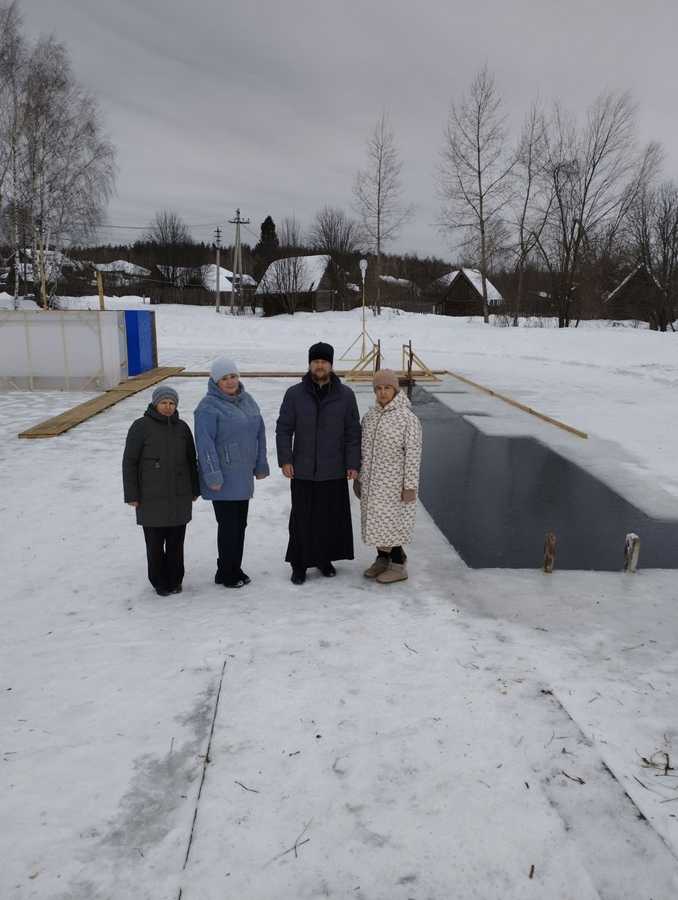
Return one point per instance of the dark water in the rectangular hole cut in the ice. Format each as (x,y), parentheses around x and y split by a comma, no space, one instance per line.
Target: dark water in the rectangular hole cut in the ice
(494,499)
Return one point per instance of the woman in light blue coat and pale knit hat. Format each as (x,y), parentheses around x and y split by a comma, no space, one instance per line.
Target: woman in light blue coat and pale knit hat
(231,444)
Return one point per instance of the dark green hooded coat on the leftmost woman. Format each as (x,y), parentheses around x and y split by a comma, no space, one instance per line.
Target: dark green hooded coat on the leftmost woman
(159,469)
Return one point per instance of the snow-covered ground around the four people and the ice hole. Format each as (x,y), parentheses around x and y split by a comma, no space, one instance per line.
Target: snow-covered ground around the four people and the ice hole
(427,740)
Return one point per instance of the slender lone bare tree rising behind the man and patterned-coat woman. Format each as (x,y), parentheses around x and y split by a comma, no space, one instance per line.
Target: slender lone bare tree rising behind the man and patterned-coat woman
(377,192)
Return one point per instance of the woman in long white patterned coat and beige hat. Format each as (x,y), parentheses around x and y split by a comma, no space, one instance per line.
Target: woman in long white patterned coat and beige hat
(389,477)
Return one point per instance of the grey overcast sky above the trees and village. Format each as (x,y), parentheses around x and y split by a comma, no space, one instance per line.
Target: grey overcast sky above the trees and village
(267,104)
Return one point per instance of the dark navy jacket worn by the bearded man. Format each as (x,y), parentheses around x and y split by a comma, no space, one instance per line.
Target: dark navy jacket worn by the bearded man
(320,436)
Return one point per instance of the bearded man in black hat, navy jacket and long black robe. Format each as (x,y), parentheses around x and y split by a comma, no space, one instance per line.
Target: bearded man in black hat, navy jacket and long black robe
(318,443)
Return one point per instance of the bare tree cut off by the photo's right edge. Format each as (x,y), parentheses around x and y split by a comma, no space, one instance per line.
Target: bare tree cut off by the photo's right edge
(653,226)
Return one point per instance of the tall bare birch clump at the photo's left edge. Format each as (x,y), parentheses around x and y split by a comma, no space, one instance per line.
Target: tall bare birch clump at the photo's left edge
(56,166)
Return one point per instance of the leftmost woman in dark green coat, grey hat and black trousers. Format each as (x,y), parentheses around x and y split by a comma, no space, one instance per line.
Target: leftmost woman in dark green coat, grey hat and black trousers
(160,479)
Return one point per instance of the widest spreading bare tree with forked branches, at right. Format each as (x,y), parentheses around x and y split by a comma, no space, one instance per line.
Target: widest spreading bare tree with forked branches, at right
(596,174)
